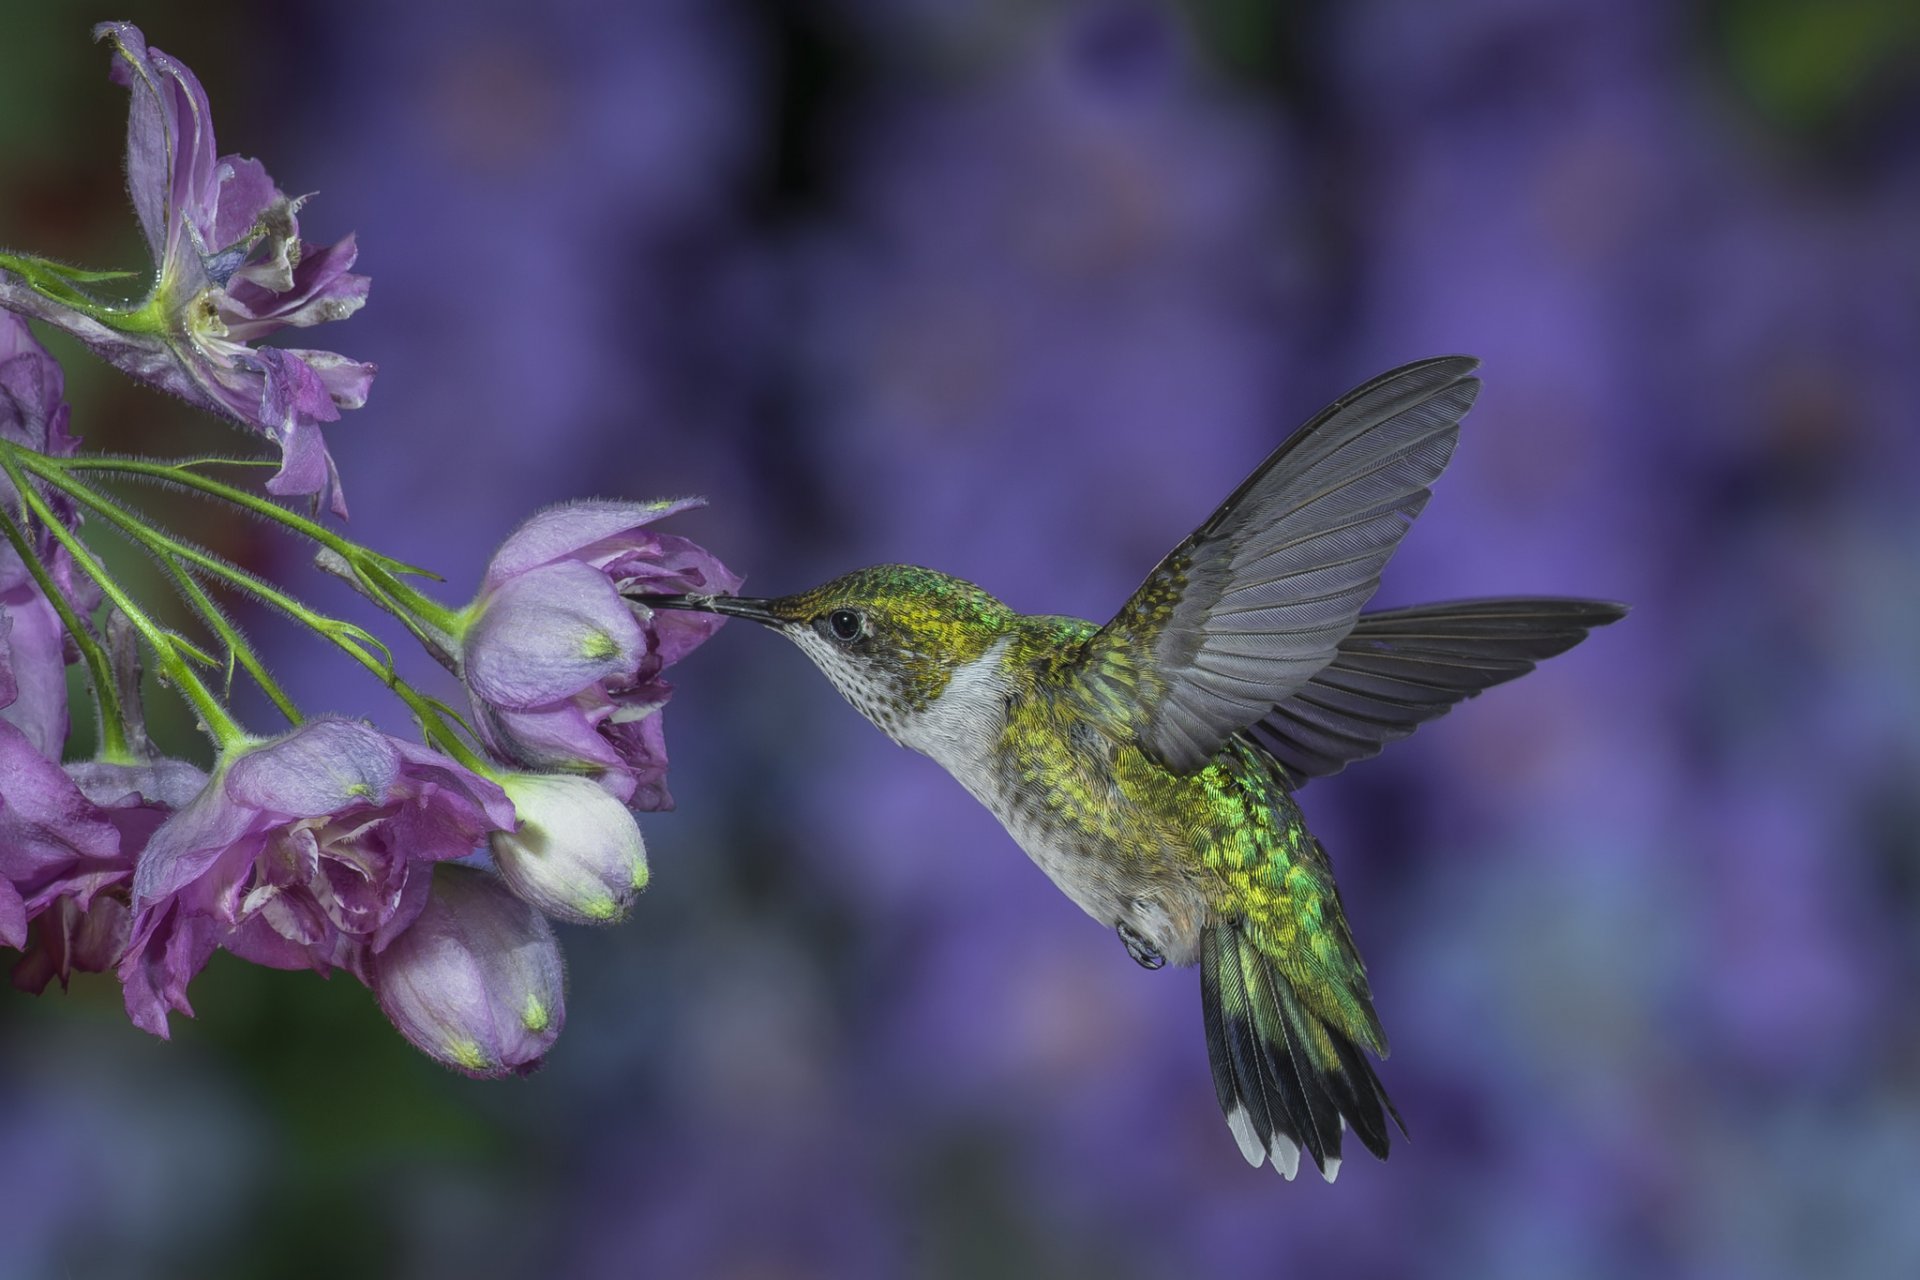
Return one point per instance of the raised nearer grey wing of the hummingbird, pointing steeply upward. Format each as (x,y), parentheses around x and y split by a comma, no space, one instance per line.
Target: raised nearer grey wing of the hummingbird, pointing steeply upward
(1257,602)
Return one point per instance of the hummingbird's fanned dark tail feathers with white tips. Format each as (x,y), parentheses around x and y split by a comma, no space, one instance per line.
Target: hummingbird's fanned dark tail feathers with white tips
(1284,1078)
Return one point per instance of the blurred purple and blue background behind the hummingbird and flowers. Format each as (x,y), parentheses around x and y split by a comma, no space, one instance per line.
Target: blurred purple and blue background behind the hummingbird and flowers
(1020,291)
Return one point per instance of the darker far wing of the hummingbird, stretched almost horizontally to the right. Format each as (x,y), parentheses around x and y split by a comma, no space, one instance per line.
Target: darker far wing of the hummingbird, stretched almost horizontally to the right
(1404,667)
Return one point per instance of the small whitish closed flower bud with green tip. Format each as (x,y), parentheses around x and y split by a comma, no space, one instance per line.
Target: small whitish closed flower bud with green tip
(577,853)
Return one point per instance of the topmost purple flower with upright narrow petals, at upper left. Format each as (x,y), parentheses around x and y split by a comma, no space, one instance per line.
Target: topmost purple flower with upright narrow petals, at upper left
(229,270)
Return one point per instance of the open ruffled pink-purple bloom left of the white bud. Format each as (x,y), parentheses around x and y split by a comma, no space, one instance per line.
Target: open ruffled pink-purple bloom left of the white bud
(300,853)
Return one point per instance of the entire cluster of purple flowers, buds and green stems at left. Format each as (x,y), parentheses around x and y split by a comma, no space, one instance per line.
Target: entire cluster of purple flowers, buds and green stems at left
(427,870)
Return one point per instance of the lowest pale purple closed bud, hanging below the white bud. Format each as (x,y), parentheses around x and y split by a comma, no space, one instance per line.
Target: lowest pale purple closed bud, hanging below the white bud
(477,980)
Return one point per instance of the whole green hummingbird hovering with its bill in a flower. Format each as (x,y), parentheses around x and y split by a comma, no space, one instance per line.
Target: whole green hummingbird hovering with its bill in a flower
(1149,767)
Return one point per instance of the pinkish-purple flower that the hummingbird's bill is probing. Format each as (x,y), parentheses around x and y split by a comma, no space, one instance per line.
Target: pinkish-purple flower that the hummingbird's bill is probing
(565,675)
